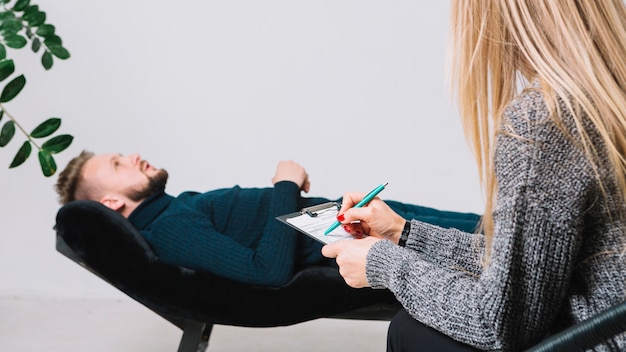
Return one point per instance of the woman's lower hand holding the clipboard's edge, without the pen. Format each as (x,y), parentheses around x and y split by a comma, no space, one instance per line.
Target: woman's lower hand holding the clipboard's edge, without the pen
(351,256)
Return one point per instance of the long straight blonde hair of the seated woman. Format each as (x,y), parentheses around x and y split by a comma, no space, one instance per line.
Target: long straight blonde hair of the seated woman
(575,48)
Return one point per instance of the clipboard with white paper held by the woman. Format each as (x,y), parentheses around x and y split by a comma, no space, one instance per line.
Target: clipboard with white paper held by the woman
(313,221)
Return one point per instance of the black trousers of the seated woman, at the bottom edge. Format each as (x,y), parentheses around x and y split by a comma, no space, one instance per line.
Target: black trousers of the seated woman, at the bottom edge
(409,335)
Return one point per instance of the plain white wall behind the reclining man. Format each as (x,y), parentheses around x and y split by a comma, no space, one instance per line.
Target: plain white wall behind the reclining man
(218,92)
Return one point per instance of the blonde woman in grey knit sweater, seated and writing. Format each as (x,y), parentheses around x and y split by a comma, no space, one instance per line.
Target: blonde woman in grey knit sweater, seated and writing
(541,88)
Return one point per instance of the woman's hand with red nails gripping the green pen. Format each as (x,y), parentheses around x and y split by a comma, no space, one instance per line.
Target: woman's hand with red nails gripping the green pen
(375,219)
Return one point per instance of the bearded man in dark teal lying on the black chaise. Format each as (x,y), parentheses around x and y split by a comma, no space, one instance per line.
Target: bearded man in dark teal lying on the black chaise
(230,232)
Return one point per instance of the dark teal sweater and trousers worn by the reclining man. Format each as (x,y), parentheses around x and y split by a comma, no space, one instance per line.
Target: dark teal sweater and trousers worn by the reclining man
(234,233)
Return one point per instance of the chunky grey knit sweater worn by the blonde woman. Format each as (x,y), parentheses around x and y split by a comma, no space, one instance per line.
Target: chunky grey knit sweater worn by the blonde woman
(557,253)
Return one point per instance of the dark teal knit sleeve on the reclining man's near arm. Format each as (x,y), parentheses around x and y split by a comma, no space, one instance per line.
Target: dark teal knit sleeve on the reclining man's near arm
(199,245)
